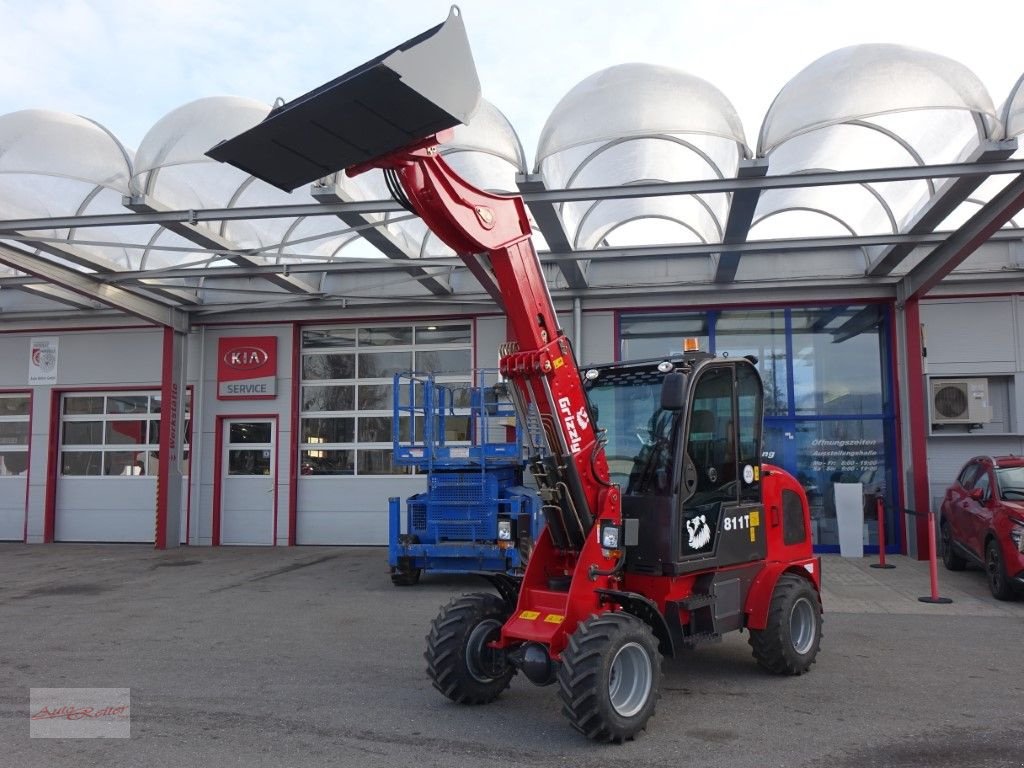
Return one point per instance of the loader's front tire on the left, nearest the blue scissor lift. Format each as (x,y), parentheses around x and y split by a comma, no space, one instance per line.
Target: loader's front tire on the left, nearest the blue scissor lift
(459,662)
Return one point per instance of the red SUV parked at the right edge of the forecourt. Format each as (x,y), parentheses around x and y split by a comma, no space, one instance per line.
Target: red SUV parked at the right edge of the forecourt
(984,522)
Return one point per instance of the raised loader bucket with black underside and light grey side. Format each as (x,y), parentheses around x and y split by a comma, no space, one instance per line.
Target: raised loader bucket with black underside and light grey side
(415,91)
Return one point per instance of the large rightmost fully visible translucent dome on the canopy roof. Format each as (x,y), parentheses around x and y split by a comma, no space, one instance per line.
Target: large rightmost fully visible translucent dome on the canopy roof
(868,107)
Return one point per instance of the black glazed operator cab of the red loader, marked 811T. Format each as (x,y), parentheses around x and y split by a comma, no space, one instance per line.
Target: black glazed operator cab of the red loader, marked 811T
(684,443)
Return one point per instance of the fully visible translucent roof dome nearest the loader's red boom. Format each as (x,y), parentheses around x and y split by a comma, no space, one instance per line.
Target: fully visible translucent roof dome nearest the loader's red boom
(641,123)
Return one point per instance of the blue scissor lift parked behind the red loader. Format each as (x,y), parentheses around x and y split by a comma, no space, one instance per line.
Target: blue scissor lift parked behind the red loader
(476,516)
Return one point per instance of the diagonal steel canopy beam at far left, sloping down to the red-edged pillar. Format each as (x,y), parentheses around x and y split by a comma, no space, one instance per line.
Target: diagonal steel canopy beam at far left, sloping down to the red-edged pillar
(89,286)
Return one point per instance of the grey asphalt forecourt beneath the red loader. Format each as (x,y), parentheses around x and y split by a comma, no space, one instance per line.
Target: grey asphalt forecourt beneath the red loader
(310,657)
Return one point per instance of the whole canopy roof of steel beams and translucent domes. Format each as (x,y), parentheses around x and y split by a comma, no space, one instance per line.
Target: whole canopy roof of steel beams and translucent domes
(644,192)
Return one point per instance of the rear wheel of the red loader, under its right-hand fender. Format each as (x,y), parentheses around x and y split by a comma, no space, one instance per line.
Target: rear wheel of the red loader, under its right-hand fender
(789,645)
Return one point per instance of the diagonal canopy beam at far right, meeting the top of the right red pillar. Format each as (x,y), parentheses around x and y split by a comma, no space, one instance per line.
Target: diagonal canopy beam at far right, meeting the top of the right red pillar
(963,243)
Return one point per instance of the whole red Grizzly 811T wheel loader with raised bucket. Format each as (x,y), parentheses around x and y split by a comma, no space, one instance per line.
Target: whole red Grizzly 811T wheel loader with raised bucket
(664,529)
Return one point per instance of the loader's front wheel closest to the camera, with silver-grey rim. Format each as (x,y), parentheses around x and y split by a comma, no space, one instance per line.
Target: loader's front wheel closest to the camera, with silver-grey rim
(610,677)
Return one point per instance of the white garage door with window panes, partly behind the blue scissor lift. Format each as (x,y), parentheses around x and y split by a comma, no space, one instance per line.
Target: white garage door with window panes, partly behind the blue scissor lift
(347,421)
